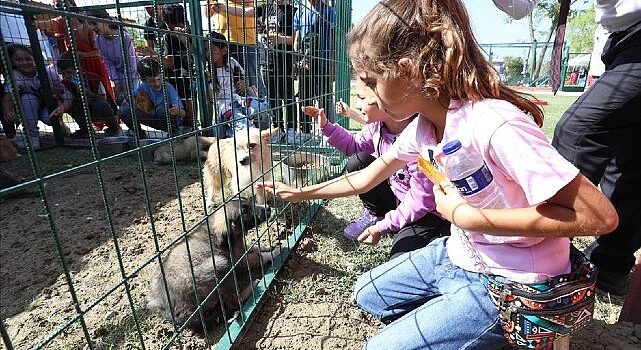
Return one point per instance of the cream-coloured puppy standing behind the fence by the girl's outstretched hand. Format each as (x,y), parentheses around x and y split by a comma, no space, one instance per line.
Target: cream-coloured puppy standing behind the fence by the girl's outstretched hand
(242,160)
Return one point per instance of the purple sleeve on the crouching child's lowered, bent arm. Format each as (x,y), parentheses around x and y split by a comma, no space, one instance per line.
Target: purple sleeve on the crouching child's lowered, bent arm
(418,201)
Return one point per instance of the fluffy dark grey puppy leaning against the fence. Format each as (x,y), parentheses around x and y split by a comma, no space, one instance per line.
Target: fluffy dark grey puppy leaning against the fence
(209,269)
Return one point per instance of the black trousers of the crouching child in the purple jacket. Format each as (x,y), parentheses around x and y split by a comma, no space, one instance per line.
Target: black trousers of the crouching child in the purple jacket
(381,200)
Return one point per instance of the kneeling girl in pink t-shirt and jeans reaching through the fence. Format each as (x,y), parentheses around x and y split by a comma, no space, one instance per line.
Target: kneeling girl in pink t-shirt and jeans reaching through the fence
(421,57)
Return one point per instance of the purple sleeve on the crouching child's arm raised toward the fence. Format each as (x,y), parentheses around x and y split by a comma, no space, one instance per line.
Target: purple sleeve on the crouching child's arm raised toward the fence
(348,143)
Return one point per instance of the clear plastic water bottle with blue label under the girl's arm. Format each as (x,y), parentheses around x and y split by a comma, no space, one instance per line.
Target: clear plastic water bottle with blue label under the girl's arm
(467,171)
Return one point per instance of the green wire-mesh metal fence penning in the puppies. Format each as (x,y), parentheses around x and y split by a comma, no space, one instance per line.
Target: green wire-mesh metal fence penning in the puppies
(89,219)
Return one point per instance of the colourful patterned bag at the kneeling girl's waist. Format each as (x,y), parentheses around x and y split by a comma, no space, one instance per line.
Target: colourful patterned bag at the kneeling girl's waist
(535,315)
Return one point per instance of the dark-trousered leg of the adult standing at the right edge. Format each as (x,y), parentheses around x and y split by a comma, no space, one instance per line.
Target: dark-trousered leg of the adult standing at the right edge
(600,134)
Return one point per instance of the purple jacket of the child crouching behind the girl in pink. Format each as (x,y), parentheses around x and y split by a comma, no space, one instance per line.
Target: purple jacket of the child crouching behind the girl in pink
(410,185)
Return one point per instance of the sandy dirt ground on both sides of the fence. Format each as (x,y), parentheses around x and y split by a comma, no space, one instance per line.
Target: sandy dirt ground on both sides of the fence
(309,307)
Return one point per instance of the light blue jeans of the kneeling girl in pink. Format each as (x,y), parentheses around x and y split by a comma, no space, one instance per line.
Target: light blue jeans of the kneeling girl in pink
(431,303)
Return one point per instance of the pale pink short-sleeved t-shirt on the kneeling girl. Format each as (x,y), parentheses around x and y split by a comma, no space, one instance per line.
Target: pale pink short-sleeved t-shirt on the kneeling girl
(524,165)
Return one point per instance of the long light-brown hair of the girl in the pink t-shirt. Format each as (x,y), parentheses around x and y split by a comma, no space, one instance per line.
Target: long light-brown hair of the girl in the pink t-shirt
(437,36)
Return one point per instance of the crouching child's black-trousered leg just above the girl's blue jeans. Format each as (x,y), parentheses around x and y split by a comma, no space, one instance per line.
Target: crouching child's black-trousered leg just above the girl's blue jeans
(419,234)
